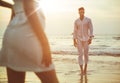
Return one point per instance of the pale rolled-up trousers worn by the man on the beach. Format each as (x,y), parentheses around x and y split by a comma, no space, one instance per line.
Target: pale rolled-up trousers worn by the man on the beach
(83,49)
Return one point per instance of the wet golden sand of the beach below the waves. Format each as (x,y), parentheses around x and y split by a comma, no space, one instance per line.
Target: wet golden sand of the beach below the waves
(101,69)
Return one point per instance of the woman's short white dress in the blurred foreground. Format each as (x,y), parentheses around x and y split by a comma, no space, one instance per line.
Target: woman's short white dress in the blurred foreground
(21,50)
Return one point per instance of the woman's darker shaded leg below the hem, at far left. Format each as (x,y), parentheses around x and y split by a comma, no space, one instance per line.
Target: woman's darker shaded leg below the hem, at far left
(15,76)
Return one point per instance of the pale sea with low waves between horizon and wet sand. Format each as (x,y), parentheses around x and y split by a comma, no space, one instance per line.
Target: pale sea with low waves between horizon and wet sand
(102,44)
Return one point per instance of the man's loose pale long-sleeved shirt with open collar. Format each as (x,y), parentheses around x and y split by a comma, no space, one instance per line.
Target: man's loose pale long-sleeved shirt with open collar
(83,29)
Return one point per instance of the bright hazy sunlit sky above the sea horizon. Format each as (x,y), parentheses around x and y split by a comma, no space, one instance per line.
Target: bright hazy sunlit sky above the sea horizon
(61,14)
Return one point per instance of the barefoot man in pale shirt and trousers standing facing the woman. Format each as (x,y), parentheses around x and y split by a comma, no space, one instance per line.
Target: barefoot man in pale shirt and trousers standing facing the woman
(82,37)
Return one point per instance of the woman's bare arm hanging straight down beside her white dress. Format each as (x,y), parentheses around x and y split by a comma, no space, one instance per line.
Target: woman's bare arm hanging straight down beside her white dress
(38,30)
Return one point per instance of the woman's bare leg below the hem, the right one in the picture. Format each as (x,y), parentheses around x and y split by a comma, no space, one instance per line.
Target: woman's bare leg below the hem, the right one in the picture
(47,76)
